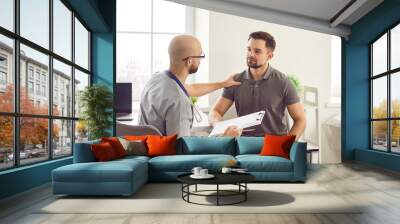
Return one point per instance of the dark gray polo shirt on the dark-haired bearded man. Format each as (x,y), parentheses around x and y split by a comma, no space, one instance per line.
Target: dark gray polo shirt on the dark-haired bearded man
(273,94)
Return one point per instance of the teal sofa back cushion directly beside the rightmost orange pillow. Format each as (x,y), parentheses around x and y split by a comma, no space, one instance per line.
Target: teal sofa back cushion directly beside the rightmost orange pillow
(249,145)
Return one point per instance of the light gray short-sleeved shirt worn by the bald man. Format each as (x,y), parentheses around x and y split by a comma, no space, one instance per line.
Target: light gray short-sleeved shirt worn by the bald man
(165,105)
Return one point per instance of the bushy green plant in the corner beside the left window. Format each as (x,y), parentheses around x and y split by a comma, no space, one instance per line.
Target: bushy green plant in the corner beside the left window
(96,102)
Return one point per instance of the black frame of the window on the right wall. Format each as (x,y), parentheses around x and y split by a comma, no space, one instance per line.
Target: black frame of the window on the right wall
(388,74)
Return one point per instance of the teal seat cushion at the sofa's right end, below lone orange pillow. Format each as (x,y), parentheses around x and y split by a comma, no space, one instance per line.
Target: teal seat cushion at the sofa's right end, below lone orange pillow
(257,163)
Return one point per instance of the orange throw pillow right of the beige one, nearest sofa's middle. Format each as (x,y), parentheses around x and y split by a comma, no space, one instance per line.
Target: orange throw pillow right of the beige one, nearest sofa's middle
(161,145)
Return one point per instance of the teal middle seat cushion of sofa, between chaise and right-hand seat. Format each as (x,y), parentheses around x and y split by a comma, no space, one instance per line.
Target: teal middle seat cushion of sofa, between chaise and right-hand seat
(185,163)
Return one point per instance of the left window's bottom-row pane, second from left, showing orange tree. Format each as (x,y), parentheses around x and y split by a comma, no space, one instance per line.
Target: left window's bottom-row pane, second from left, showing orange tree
(33,139)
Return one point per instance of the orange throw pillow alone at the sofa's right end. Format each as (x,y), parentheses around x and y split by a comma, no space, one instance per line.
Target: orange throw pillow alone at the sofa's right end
(277,145)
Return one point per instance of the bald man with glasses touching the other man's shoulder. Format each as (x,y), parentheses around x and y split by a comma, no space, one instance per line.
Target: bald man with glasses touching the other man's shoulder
(165,101)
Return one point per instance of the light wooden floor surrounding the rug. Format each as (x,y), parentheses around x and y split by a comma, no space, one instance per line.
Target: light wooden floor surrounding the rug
(378,189)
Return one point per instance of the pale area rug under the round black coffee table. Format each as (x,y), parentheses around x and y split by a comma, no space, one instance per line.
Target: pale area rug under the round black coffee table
(167,198)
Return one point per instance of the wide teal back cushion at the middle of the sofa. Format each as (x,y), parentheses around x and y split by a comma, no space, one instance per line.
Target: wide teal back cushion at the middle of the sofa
(206,145)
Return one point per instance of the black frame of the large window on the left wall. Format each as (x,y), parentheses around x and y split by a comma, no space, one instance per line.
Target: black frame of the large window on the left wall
(16,115)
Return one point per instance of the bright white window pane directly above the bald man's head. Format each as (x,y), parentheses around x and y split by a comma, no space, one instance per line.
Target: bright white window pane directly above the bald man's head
(169,17)
